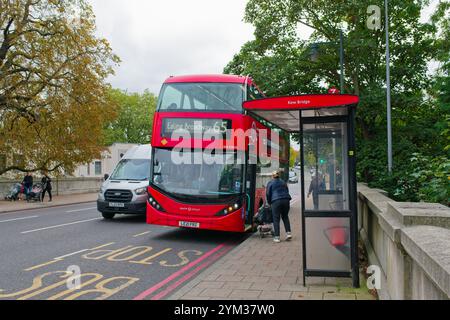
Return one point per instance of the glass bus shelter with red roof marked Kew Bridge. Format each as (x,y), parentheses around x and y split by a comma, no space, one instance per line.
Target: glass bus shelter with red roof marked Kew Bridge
(326,124)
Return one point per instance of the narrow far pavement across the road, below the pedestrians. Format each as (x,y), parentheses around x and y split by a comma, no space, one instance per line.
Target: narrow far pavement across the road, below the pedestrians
(11,206)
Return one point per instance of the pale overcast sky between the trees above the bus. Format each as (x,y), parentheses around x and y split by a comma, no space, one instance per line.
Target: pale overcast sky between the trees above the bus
(159,38)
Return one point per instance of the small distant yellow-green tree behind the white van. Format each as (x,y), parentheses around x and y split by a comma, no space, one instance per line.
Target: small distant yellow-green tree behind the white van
(135,117)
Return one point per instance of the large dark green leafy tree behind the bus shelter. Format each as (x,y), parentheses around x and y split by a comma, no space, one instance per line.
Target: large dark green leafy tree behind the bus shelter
(280,61)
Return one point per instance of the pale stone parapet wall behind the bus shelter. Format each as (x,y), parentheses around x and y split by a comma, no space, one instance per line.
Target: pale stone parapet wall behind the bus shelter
(410,242)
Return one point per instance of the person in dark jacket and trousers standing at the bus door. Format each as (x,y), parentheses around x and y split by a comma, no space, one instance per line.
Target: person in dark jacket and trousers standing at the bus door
(277,195)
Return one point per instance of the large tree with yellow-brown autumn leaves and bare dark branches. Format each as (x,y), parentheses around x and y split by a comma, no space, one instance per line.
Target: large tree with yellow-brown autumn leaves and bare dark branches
(53,98)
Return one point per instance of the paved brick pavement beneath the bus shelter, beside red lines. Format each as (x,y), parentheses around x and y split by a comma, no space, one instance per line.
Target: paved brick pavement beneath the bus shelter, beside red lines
(259,269)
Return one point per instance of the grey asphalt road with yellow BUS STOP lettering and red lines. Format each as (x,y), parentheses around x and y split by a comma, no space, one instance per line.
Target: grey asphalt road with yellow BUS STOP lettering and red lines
(120,259)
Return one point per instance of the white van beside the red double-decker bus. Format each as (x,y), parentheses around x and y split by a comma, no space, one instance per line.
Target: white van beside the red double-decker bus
(125,191)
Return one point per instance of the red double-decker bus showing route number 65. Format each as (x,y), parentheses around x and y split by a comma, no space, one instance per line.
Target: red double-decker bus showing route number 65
(199,121)
